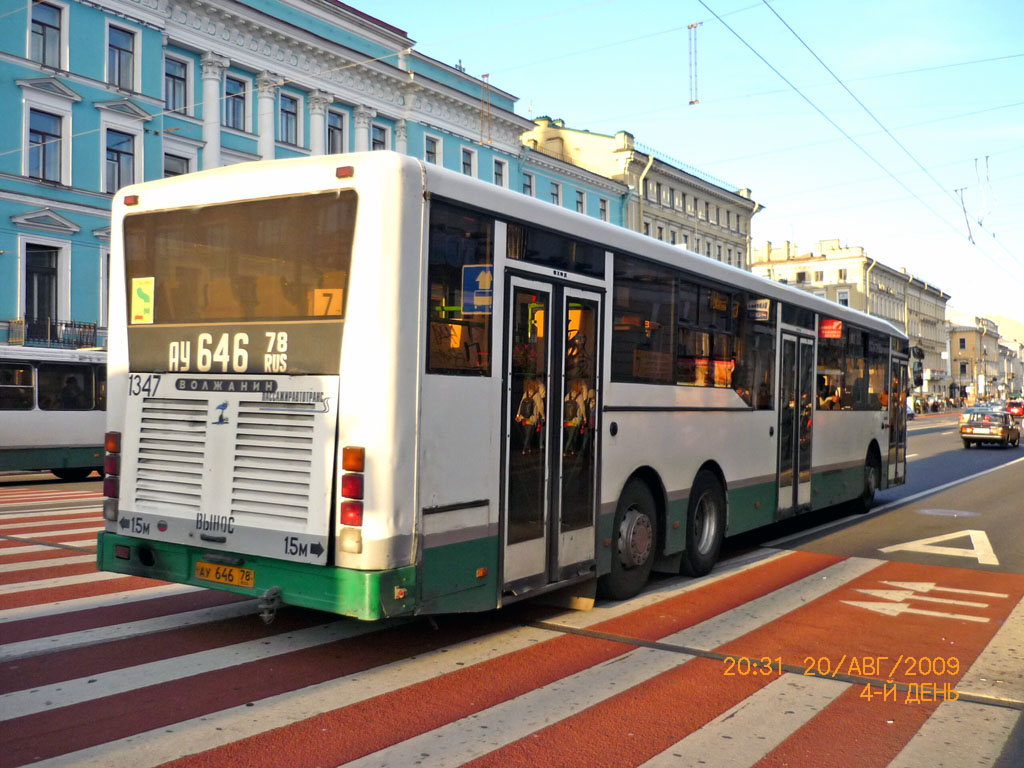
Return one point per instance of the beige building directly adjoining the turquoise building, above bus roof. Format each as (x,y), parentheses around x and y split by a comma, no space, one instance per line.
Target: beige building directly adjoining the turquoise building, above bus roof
(668,202)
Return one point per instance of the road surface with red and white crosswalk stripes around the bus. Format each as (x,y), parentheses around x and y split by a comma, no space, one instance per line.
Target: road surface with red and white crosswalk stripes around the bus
(825,643)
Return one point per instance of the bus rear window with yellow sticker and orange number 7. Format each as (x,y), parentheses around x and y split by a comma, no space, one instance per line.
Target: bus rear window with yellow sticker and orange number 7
(283,259)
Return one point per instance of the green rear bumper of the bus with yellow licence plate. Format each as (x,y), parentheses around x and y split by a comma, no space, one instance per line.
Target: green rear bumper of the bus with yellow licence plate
(361,594)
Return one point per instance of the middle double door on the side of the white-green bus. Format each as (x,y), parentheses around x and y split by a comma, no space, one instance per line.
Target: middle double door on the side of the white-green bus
(796,409)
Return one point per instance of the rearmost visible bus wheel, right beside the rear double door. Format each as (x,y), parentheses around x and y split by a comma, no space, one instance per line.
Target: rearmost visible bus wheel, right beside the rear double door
(633,548)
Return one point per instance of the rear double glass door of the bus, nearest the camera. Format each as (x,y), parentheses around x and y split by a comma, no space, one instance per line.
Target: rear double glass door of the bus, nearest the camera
(552,394)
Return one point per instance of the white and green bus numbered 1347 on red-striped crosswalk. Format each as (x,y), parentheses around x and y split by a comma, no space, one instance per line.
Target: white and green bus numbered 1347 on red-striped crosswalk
(368,386)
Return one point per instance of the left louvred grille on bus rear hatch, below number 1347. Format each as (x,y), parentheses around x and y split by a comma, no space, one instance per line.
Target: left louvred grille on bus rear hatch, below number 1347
(172,453)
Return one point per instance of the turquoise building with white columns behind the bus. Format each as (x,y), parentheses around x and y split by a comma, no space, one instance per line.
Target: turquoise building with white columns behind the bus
(105,94)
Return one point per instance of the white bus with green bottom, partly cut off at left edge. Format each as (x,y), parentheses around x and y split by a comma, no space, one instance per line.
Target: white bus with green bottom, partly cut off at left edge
(53,406)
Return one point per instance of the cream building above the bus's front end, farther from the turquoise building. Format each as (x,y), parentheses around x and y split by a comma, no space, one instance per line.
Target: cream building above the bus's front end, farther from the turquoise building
(849,277)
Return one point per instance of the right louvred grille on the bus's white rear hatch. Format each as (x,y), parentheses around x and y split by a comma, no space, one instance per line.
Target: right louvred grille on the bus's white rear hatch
(274,461)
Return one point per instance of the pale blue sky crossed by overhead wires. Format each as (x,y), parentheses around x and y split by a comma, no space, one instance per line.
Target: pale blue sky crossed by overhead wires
(895,125)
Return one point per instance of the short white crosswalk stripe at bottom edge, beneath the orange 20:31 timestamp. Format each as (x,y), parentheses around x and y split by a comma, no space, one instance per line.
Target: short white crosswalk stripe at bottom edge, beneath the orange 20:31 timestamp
(754,728)
